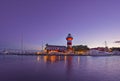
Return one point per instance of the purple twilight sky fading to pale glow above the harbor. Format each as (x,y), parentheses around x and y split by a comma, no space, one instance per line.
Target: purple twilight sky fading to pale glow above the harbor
(37,22)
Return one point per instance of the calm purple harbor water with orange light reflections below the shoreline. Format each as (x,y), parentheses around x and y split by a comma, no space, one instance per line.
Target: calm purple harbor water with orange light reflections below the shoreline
(59,68)
